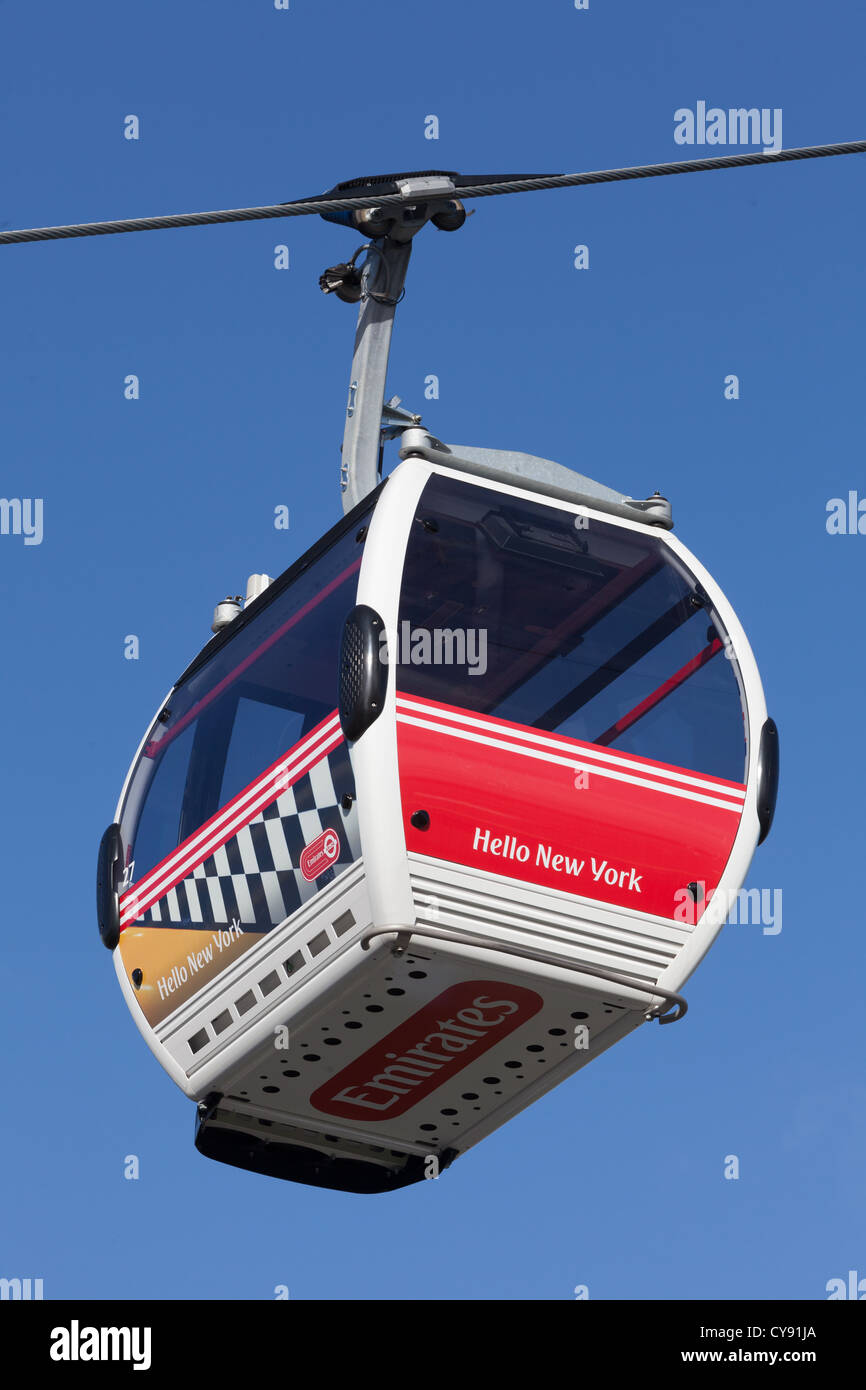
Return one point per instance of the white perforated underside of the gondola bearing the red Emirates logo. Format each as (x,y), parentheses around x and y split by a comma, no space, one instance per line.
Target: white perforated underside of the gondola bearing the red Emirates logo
(272,1099)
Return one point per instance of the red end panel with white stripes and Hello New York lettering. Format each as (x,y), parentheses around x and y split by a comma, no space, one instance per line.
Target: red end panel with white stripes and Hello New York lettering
(562,814)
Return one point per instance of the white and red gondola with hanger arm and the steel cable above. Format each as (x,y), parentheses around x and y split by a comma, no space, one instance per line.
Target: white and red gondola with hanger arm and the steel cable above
(452,806)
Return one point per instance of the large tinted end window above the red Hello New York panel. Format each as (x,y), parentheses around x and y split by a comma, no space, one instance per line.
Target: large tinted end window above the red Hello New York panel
(525,612)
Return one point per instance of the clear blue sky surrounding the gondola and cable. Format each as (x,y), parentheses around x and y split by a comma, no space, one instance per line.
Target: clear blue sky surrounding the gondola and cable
(155,509)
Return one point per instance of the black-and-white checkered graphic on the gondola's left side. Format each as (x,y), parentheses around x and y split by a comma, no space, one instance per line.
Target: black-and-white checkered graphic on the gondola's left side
(255,878)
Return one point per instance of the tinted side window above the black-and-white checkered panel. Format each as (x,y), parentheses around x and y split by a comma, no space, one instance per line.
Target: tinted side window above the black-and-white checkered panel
(238,712)
